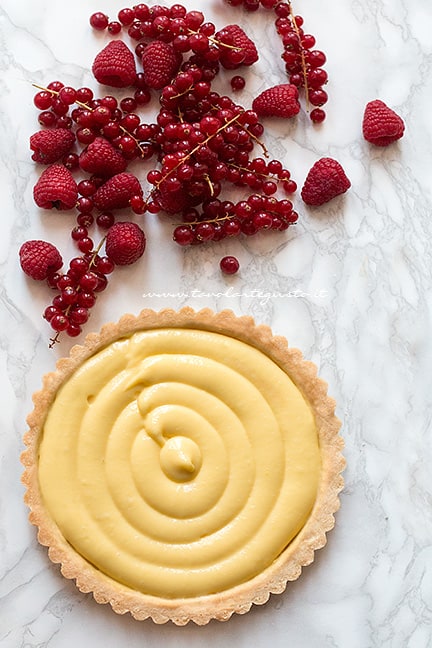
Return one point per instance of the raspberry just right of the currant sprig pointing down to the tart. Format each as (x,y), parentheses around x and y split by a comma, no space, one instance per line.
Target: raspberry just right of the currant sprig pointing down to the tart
(125,243)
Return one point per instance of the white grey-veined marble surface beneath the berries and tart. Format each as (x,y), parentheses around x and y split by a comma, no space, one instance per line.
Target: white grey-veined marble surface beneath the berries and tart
(361,269)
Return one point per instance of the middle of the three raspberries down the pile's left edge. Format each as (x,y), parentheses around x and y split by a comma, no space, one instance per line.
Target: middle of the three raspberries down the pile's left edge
(57,188)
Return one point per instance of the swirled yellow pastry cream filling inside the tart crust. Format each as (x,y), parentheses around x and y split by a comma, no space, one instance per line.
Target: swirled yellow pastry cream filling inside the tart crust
(180,462)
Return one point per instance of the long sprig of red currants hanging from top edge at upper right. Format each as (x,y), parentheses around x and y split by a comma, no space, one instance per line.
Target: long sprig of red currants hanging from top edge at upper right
(302,63)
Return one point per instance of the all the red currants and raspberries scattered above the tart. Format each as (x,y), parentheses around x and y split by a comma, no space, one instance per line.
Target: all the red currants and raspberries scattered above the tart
(199,143)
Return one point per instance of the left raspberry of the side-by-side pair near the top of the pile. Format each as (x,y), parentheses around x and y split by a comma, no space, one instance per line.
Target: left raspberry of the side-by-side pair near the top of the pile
(115,65)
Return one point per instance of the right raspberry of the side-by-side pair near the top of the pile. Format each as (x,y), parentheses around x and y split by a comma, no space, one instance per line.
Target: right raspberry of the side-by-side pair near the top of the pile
(160,64)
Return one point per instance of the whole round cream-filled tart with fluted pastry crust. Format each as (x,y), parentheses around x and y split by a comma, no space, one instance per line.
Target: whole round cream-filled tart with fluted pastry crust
(183,465)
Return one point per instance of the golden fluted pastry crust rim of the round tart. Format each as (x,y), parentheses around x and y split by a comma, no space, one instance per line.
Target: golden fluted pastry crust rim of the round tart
(298,554)
